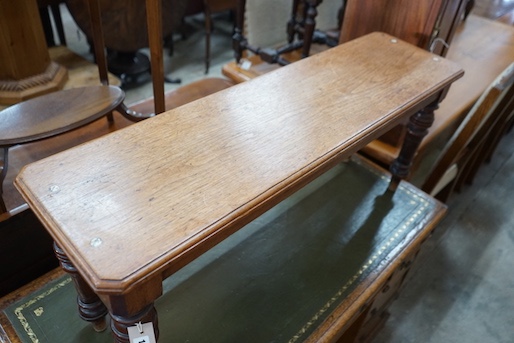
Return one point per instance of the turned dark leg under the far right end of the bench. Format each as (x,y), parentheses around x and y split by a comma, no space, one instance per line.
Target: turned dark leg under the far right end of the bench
(417,128)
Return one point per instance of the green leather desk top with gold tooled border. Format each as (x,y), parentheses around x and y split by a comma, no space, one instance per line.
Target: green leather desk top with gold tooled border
(277,279)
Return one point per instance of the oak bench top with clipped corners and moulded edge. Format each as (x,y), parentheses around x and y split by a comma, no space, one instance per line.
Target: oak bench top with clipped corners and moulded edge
(128,206)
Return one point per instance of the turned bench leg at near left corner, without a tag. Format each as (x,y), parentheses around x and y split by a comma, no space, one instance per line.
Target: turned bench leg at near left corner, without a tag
(90,306)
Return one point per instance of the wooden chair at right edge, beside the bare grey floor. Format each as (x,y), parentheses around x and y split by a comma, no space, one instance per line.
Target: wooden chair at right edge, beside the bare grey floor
(468,147)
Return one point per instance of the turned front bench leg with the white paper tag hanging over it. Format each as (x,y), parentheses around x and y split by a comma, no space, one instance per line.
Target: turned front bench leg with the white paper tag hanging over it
(119,324)
